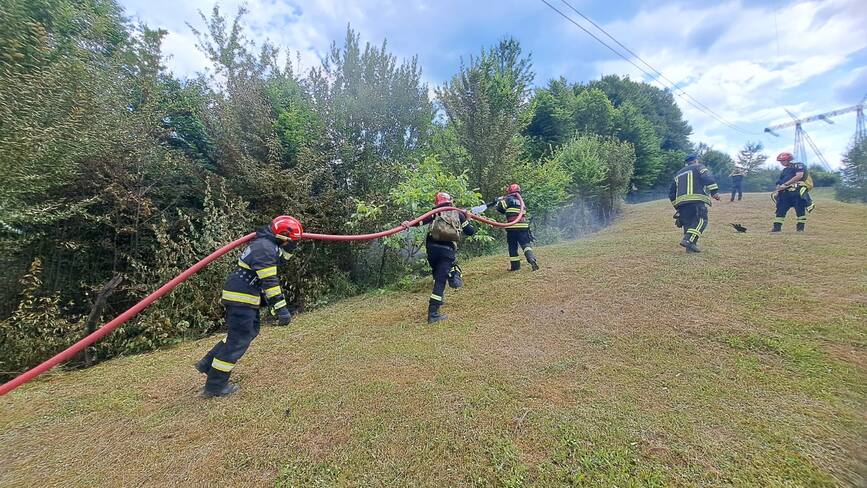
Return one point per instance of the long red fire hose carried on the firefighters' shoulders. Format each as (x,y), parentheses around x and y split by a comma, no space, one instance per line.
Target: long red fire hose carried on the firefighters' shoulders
(107,328)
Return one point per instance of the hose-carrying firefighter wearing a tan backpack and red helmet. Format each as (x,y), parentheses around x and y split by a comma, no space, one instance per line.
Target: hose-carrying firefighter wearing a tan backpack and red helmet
(442,257)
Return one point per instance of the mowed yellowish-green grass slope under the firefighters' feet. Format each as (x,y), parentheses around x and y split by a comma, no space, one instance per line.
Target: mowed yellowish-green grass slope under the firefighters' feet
(623,362)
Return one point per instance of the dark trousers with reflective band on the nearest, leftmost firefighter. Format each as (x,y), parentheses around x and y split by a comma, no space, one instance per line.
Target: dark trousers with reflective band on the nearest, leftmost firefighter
(243,325)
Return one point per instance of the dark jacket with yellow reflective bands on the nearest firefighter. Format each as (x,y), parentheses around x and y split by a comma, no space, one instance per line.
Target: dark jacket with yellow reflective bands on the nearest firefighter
(254,281)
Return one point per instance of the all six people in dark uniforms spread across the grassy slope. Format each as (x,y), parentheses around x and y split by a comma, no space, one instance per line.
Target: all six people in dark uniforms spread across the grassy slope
(254,281)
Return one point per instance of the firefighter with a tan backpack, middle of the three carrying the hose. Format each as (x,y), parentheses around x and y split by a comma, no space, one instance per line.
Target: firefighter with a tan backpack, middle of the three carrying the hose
(441,245)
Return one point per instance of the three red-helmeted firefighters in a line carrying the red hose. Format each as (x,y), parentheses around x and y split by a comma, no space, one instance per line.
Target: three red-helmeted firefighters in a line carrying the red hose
(254,281)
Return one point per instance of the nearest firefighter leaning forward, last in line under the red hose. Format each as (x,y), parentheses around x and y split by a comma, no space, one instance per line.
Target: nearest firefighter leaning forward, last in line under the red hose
(253,282)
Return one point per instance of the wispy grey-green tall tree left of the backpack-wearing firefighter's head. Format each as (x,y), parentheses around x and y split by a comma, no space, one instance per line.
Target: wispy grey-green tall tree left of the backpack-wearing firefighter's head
(376,113)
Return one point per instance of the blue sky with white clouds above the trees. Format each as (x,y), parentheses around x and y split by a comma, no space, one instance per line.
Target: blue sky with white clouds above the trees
(746,60)
